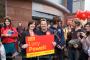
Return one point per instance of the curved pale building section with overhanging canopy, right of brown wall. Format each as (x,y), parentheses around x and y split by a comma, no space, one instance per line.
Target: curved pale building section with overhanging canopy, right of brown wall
(48,9)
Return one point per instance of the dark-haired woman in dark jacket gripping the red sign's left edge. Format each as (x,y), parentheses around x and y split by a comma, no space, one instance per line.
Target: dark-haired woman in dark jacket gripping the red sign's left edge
(30,32)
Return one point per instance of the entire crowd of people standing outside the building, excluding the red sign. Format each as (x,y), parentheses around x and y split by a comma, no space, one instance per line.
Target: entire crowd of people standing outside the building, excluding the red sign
(71,42)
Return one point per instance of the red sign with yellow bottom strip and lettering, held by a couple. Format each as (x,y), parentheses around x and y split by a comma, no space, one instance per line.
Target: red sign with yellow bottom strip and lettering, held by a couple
(39,45)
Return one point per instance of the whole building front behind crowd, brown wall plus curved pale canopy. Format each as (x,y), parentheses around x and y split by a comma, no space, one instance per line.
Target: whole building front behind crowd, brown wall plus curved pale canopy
(24,10)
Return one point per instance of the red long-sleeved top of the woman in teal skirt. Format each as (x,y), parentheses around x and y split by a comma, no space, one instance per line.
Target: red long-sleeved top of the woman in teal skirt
(13,35)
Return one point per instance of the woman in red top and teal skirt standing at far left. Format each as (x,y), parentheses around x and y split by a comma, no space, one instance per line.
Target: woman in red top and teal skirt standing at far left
(9,35)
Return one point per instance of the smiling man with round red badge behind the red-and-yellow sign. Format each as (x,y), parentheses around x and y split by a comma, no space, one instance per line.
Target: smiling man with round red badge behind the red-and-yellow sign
(44,31)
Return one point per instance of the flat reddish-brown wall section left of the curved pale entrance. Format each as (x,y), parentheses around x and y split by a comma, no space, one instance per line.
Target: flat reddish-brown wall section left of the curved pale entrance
(19,11)
